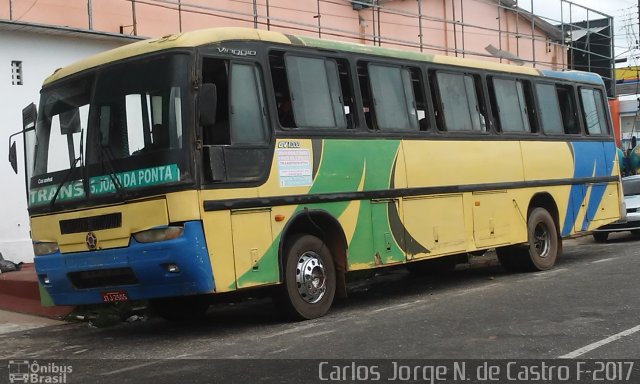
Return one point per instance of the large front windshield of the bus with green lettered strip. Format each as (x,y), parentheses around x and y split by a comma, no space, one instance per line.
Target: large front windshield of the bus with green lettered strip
(119,129)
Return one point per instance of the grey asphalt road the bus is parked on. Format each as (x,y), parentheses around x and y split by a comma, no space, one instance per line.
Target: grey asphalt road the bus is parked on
(587,307)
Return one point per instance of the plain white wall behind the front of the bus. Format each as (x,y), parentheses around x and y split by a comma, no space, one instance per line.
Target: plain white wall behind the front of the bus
(40,55)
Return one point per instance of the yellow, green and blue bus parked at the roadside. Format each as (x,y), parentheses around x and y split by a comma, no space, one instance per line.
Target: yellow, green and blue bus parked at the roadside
(224,160)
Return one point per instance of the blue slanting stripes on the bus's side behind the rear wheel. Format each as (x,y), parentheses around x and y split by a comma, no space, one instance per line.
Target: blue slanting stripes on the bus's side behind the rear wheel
(590,159)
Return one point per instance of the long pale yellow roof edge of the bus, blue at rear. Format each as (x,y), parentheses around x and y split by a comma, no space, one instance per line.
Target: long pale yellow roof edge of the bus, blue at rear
(217,35)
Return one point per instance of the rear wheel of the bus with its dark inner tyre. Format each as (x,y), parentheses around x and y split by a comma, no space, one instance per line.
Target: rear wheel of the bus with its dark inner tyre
(544,245)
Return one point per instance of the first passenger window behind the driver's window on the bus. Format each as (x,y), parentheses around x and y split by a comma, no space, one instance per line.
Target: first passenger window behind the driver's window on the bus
(315,93)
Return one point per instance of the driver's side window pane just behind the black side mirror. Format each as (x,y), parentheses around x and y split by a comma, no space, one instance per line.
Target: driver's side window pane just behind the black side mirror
(247,110)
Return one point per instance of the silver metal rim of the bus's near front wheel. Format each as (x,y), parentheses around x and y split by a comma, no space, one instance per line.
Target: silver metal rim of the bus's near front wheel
(311,279)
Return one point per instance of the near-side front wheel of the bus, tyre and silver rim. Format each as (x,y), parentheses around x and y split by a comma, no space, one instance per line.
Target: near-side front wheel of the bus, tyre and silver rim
(309,284)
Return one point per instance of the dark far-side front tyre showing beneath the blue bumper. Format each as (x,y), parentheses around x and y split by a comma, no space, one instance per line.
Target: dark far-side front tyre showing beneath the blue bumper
(180,309)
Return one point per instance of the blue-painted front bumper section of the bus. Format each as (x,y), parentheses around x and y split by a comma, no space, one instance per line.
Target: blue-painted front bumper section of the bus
(146,260)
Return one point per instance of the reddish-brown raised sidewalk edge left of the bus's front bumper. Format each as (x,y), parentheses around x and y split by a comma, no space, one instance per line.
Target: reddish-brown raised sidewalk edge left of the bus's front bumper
(20,292)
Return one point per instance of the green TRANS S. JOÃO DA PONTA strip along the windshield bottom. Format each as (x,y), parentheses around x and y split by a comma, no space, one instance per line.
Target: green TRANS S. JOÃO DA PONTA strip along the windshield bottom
(100,185)
